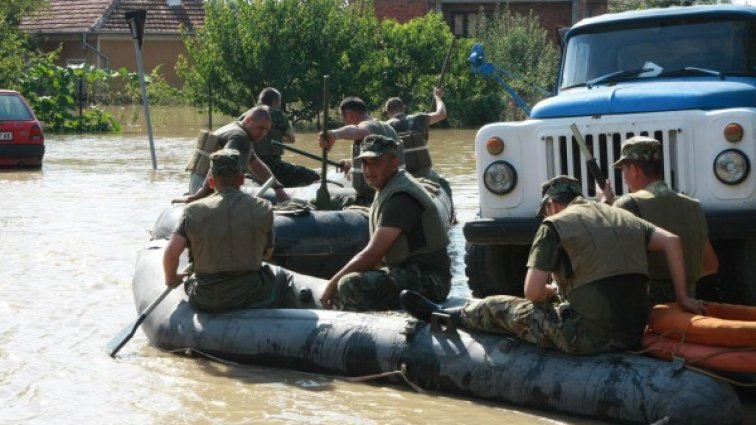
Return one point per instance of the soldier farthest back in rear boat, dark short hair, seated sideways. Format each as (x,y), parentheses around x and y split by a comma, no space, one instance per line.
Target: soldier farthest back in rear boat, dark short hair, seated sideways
(290,175)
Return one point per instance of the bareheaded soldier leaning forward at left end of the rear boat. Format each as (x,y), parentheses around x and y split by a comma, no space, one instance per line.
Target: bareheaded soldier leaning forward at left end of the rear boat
(240,135)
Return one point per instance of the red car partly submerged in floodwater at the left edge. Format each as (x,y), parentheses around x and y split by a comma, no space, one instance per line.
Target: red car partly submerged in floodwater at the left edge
(22,141)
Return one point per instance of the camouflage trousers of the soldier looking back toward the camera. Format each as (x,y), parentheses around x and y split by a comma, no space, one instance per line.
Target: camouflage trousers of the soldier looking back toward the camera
(378,290)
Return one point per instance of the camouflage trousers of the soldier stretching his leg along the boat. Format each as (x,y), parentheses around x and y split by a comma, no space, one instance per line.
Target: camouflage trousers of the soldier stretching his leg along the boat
(553,326)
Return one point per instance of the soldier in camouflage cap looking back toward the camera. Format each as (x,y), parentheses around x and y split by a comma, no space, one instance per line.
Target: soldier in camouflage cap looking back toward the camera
(408,237)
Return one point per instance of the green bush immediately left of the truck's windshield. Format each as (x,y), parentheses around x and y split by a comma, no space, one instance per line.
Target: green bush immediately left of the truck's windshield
(518,45)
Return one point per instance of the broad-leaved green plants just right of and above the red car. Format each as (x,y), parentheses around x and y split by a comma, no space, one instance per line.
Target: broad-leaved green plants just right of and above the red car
(52,92)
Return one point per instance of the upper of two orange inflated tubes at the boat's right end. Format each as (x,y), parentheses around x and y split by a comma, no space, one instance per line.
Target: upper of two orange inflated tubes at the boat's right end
(725,325)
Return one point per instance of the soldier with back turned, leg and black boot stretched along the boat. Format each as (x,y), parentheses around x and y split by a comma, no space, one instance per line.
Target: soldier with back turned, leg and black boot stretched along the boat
(596,254)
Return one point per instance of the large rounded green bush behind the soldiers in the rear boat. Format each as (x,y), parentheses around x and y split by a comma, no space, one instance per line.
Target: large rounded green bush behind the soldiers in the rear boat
(246,46)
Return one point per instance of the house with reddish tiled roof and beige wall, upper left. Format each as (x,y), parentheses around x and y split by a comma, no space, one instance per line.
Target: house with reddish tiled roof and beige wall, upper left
(96,32)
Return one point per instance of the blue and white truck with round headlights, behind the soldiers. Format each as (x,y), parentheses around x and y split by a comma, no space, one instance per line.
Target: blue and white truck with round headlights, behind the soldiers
(685,76)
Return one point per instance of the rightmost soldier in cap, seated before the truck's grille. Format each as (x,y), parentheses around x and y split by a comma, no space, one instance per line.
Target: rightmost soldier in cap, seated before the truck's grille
(651,199)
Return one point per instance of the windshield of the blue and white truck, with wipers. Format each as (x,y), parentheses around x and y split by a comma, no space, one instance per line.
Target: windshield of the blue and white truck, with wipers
(664,49)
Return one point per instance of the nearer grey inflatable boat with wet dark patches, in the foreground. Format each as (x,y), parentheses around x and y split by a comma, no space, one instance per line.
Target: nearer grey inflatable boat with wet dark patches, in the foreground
(612,387)
